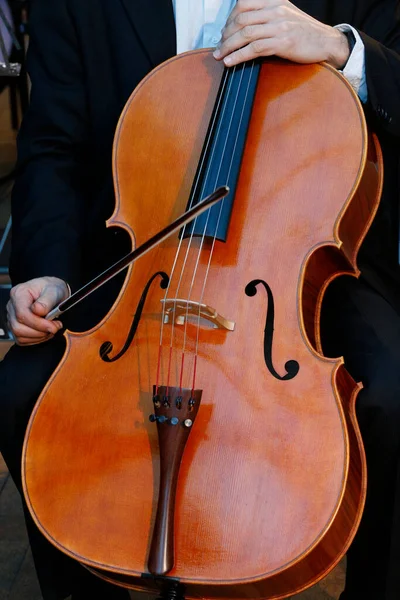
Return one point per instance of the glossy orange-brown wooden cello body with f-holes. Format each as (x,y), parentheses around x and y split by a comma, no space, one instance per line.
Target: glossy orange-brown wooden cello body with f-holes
(272,480)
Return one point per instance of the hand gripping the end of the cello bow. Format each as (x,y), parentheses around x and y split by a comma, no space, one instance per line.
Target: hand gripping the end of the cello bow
(28,305)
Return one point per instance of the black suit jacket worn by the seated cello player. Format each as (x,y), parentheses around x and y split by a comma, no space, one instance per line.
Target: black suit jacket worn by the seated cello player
(85,58)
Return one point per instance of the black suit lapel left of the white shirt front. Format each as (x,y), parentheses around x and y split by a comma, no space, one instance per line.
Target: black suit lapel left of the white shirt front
(154,23)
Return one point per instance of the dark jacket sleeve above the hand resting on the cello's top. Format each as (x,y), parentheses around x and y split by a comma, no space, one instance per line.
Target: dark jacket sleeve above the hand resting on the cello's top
(380,32)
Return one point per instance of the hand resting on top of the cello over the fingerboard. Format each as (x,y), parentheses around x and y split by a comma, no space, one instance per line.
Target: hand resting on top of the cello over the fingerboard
(277,27)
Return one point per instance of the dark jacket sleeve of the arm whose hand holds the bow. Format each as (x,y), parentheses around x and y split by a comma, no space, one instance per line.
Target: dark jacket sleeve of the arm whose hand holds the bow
(48,202)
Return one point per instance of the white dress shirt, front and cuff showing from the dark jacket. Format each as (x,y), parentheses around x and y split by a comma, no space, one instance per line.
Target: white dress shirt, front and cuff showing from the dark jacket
(199,24)
